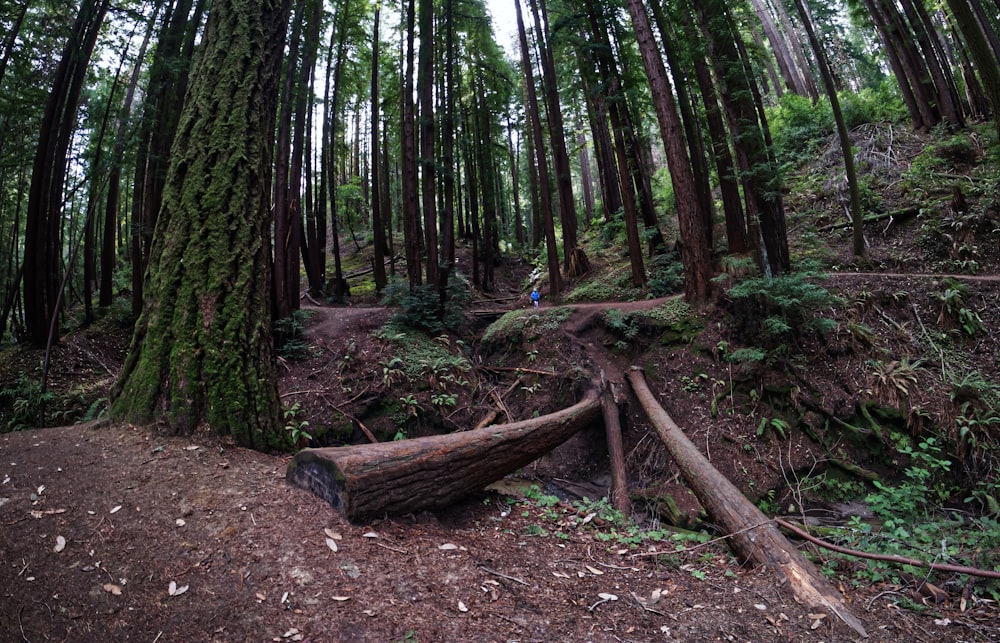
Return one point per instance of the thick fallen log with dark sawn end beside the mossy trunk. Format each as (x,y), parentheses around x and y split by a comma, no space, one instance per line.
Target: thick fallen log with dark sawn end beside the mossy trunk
(409,476)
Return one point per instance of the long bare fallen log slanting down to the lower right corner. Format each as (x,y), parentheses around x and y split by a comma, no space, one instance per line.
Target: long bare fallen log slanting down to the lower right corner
(752,533)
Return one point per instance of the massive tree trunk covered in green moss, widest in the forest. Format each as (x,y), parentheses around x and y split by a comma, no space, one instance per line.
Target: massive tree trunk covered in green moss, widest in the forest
(202,349)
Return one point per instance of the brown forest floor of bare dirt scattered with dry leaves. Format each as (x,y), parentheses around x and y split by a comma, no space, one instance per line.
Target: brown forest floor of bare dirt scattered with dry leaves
(116,532)
